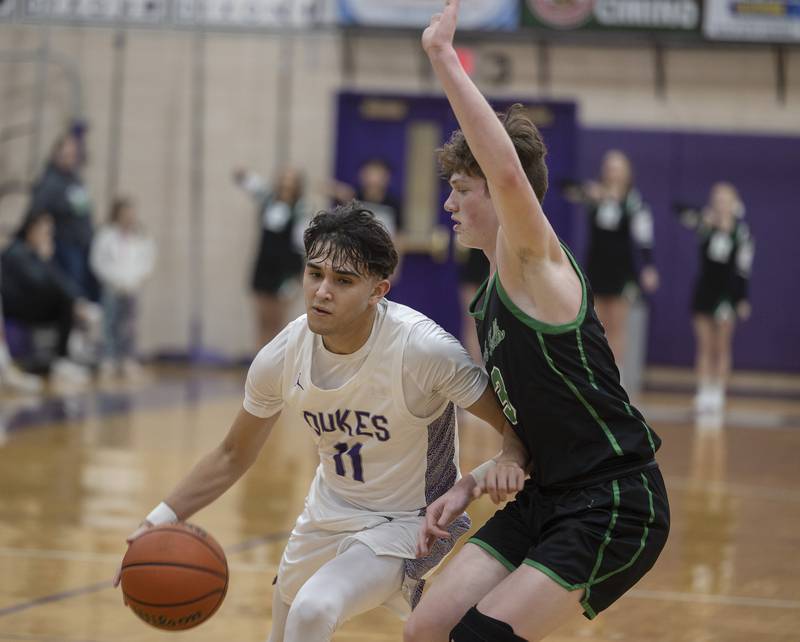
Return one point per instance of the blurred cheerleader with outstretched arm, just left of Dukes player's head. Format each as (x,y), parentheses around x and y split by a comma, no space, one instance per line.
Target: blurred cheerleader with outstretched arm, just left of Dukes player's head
(283,213)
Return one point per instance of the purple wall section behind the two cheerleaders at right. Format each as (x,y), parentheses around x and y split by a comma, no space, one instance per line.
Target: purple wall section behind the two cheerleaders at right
(681,166)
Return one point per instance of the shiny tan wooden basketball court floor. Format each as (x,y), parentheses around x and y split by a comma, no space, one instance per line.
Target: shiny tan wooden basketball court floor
(77,473)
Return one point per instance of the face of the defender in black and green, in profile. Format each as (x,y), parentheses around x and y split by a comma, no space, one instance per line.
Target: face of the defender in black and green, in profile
(472,212)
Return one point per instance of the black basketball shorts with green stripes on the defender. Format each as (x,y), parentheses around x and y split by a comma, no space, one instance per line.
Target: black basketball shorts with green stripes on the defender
(600,538)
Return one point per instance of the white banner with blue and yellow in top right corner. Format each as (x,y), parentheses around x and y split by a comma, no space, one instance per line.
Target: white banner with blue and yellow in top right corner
(762,21)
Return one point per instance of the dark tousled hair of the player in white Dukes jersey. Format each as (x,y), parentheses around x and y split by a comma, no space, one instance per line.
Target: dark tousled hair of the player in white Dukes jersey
(351,235)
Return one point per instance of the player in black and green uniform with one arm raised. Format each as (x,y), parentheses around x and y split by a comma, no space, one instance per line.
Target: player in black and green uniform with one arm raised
(594,516)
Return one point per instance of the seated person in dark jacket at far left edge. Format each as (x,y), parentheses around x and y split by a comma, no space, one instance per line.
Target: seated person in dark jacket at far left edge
(36,292)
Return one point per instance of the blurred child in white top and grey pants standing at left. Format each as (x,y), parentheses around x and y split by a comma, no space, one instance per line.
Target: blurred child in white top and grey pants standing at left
(122,257)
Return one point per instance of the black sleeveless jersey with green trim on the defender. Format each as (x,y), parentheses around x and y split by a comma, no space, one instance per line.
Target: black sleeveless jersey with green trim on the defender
(560,389)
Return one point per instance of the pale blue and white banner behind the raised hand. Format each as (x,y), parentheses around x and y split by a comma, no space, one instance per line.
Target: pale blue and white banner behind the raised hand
(474,14)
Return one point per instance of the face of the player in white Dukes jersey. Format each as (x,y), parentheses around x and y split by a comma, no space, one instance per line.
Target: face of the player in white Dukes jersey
(339,302)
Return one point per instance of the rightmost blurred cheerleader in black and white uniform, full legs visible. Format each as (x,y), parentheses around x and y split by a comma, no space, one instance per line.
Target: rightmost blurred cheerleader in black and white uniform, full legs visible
(720,290)
